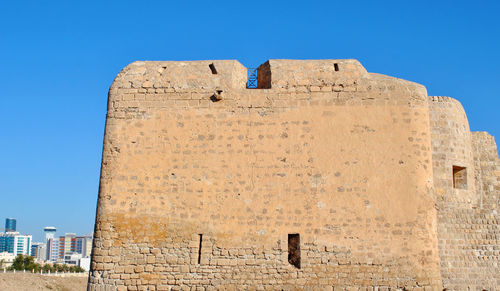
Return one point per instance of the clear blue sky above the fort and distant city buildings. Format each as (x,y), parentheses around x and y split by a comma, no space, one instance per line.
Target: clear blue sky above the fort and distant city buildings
(58,59)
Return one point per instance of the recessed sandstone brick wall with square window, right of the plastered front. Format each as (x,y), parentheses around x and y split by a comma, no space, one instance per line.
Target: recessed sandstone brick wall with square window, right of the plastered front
(468,228)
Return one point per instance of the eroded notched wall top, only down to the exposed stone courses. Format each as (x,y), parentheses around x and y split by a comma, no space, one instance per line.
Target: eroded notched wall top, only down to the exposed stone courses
(274,76)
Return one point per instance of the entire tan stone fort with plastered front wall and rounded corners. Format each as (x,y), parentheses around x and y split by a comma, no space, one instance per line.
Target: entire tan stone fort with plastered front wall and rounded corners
(323,177)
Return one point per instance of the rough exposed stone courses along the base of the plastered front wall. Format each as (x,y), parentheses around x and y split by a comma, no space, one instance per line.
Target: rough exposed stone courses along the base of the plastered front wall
(140,267)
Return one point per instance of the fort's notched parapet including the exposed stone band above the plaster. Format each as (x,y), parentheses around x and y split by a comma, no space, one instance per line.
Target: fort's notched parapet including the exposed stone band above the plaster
(143,87)
